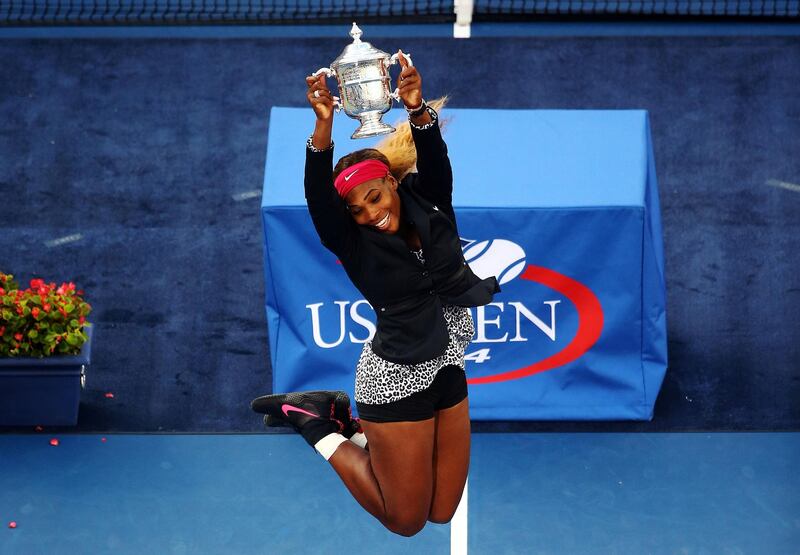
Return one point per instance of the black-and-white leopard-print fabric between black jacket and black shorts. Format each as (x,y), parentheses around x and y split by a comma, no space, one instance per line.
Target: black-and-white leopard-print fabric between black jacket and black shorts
(379,381)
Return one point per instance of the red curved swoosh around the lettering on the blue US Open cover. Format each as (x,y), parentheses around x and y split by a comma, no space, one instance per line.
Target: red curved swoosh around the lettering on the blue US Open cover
(590,324)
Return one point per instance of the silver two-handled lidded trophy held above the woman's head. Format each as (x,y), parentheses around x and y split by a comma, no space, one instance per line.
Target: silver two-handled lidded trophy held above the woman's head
(364,85)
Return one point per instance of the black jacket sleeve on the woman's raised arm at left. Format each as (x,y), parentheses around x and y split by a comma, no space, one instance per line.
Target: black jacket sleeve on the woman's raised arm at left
(334,224)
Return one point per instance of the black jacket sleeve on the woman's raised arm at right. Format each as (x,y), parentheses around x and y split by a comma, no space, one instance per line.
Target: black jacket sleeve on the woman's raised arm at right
(435,182)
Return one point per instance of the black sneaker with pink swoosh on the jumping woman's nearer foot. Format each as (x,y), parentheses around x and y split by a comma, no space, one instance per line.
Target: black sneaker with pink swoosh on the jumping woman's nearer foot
(311,413)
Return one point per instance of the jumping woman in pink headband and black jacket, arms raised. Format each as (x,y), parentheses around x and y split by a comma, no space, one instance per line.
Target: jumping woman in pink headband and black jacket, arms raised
(406,460)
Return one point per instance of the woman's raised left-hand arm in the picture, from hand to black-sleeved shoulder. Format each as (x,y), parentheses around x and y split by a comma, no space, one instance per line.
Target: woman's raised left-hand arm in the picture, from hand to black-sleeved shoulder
(332,221)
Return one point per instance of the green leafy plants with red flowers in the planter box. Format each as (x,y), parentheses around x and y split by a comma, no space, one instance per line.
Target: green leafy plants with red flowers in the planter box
(42,320)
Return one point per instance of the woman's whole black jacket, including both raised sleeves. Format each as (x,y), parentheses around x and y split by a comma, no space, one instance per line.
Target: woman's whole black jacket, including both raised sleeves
(407,296)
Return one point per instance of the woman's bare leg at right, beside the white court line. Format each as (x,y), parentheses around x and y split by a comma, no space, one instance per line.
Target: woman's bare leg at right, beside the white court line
(450,460)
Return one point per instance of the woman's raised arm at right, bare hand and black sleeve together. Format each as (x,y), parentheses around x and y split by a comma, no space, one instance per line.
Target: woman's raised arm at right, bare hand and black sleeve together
(435,175)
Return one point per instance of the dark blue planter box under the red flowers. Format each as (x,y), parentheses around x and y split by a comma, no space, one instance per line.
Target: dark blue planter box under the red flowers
(43,391)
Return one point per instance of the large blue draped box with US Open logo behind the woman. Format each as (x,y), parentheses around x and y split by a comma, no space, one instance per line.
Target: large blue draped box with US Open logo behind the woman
(569,223)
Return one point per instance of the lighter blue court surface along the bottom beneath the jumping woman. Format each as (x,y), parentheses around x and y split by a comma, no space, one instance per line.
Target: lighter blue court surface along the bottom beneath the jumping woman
(682,493)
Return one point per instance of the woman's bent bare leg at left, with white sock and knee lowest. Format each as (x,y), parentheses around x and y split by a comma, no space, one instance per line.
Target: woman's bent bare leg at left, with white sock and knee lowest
(393,481)
